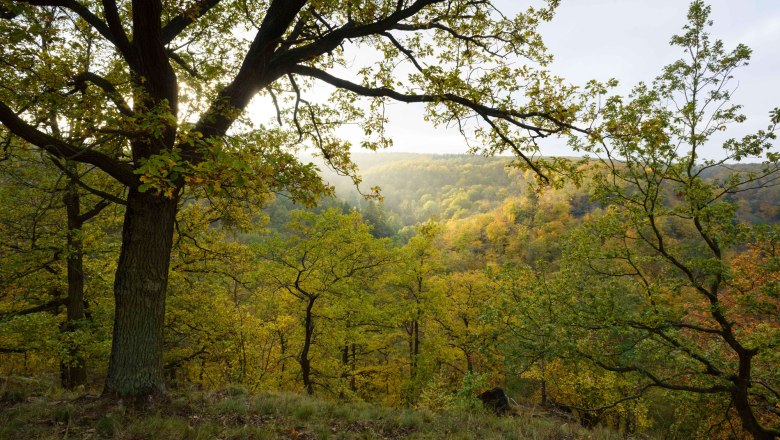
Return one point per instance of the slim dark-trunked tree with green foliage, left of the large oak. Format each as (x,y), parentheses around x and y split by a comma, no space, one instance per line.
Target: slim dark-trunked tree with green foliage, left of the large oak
(43,231)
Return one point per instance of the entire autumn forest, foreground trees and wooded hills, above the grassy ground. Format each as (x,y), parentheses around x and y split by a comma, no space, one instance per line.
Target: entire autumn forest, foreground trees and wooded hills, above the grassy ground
(154,239)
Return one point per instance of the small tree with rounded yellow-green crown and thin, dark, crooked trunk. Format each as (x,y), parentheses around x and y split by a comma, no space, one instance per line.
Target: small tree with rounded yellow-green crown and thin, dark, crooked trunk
(325,261)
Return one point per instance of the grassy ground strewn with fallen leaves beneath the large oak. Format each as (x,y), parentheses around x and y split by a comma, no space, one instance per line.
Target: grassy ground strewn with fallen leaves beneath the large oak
(235,413)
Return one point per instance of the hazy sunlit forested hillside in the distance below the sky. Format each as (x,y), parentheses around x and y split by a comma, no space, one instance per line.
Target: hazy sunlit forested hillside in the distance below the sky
(416,188)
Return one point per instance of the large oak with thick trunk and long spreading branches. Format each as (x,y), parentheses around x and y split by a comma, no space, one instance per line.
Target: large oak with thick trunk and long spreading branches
(169,82)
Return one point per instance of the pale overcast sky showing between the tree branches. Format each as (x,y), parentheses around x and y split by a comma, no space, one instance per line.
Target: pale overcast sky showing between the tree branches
(628,40)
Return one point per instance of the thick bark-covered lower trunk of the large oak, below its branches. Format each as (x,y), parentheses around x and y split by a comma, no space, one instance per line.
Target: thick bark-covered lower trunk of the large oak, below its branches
(136,364)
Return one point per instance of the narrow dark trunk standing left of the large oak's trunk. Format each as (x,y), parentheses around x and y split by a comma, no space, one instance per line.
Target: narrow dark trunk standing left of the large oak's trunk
(73,372)
